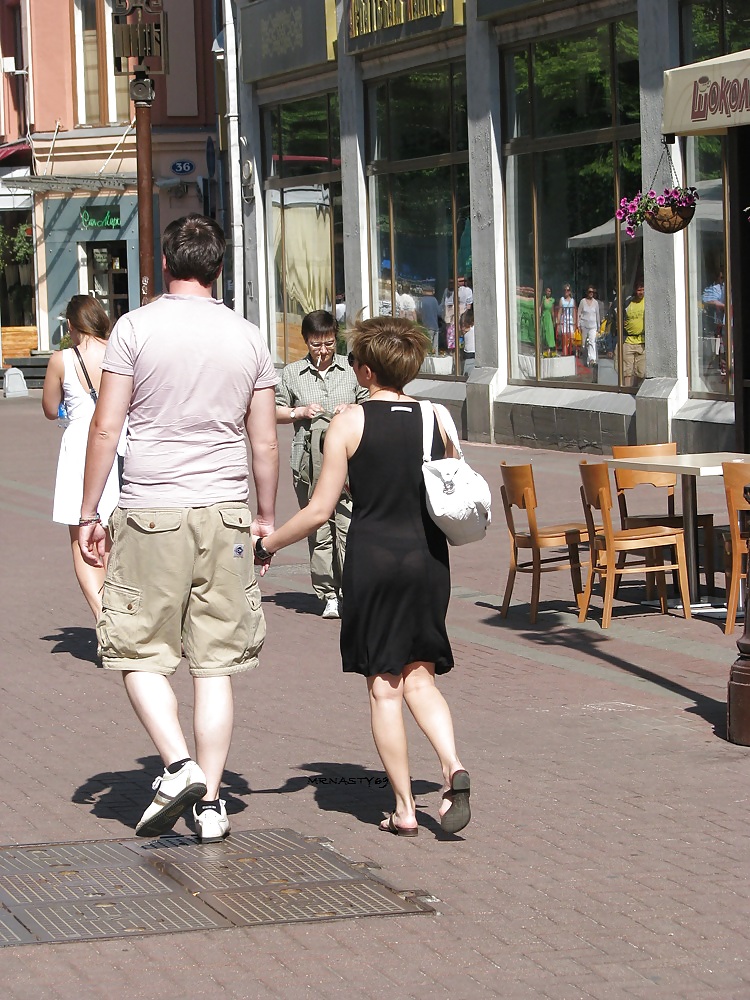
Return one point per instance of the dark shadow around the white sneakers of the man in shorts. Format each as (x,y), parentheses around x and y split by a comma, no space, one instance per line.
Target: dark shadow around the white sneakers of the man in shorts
(123,795)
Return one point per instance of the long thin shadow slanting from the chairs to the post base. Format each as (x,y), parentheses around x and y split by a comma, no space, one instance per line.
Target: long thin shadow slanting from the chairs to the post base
(714,712)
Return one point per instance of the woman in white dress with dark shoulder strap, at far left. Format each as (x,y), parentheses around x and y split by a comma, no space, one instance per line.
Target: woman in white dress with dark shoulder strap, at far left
(65,382)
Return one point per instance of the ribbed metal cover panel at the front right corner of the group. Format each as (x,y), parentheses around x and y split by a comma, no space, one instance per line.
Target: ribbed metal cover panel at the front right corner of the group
(310,902)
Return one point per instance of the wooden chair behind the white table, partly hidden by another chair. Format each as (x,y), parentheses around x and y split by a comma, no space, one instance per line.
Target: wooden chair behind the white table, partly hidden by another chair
(627,480)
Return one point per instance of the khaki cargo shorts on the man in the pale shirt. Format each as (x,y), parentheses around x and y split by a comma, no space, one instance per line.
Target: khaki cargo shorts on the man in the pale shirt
(181,577)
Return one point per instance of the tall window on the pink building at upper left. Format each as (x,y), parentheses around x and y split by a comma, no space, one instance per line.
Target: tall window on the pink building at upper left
(101,97)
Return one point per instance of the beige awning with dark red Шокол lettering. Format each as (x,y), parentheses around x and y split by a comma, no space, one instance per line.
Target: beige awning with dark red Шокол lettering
(707,97)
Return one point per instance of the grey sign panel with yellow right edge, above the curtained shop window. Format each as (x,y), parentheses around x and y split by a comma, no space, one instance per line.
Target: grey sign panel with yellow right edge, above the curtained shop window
(282,36)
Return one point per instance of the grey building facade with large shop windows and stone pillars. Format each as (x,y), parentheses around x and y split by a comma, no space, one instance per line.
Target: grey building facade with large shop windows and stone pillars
(462,164)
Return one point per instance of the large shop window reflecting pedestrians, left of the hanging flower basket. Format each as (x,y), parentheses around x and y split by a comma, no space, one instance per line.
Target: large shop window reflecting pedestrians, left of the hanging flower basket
(573,150)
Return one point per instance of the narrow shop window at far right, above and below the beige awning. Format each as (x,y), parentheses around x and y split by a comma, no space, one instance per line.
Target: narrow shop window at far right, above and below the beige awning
(709,30)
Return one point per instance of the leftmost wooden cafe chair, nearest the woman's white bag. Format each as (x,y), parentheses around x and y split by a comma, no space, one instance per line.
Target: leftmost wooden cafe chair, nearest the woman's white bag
(518,491)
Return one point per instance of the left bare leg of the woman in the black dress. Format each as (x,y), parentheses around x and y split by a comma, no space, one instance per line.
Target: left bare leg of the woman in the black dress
(386,716)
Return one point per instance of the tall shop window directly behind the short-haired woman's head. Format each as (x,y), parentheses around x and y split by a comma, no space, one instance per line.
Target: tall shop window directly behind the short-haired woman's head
(419,208)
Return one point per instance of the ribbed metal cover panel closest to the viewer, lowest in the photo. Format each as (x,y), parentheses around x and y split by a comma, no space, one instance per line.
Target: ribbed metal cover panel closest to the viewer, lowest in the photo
(118,918)
